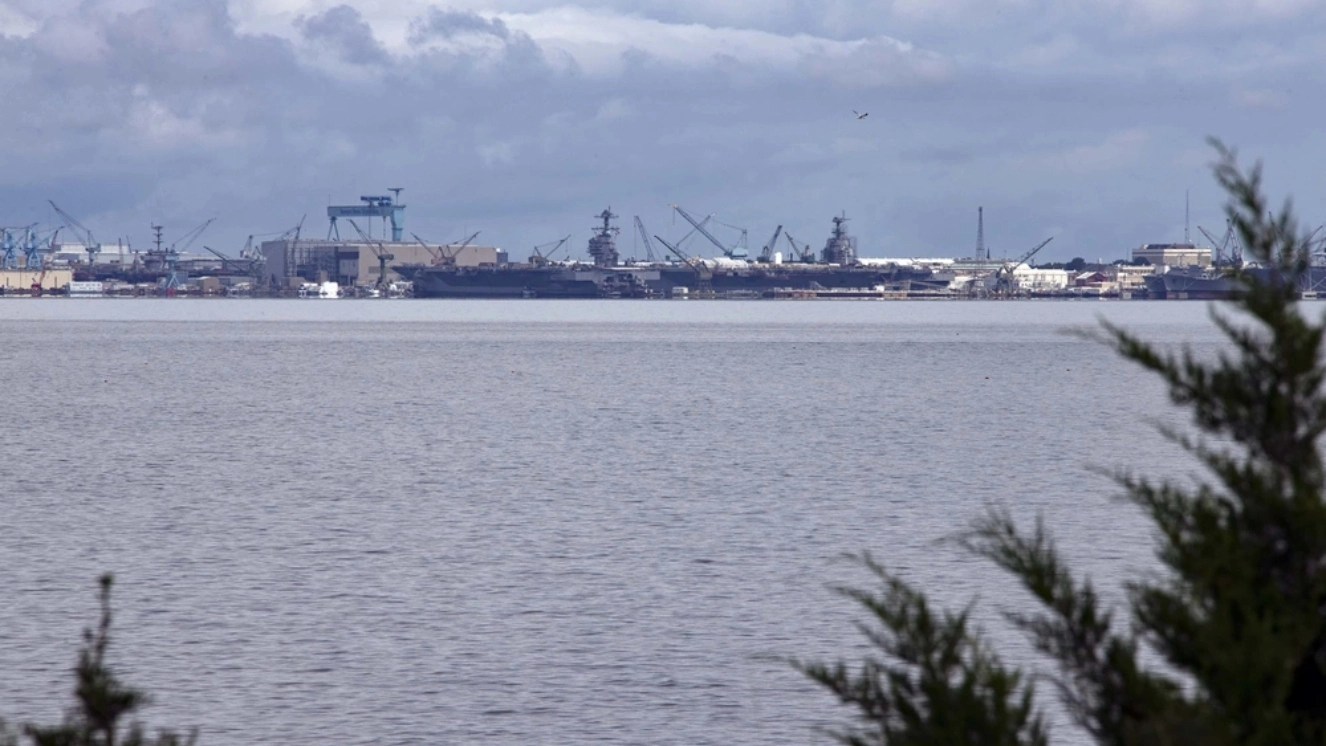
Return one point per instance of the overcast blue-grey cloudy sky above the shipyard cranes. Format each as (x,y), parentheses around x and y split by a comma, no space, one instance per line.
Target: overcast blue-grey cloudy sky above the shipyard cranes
(524,119)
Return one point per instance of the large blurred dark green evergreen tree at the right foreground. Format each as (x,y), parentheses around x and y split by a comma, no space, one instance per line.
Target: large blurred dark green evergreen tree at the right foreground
(1239,614)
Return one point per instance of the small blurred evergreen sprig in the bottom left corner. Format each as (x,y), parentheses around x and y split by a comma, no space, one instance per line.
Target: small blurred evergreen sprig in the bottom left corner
(103,702)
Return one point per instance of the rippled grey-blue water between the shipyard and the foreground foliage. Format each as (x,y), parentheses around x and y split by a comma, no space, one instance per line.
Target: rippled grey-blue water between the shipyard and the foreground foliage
(532,523)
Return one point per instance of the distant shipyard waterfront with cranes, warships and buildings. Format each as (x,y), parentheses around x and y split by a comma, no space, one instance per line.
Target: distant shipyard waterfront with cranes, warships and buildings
(357,260)
